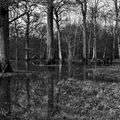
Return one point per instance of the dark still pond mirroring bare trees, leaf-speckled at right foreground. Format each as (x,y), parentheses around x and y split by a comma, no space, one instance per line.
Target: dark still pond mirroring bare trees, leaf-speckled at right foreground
(69,92)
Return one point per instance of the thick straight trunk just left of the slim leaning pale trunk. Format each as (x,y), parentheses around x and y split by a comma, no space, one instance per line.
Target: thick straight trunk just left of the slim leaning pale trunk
(49,41)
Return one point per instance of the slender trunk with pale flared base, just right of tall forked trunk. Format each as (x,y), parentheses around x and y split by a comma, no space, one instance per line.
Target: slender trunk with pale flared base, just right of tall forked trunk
(94,41)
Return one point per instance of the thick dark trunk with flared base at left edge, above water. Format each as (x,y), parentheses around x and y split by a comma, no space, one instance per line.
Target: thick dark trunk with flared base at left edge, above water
(4,40)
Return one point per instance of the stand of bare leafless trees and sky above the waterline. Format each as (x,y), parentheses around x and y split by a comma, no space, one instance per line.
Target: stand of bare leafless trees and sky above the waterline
(57,31)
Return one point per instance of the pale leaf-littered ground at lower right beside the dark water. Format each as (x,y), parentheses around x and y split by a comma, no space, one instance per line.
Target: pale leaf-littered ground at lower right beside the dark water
(97,99)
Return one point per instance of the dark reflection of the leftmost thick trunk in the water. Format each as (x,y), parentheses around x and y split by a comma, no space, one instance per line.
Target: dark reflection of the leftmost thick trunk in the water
(5,107)
